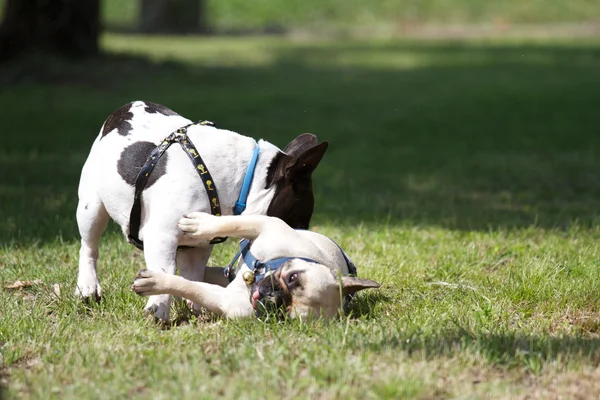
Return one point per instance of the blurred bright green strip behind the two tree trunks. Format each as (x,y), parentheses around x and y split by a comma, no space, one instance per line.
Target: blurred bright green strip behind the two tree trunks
(260,15)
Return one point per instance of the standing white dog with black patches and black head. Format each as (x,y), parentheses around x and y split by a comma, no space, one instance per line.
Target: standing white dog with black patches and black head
(280,186)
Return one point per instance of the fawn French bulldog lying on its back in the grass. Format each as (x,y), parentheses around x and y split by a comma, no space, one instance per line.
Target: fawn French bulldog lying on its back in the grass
(299,270)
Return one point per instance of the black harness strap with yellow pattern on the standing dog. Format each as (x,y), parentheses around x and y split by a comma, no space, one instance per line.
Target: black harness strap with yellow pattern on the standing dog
(179,136)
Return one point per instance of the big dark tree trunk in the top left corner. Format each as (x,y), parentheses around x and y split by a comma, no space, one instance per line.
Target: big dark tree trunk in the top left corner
(65,27)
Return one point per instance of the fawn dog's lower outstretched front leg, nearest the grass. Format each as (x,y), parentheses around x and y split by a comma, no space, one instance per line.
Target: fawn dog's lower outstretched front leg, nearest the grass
(231,302)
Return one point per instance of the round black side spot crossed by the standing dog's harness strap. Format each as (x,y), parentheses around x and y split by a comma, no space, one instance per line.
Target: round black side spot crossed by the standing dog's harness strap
(132,160)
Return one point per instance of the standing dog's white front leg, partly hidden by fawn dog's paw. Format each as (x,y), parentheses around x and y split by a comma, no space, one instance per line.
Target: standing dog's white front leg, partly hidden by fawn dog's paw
(159,252)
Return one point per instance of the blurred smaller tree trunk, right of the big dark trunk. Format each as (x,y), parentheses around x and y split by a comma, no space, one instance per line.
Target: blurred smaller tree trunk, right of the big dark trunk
(174,16)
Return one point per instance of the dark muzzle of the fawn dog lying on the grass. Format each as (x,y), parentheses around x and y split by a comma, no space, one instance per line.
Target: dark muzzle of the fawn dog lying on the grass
(270,297)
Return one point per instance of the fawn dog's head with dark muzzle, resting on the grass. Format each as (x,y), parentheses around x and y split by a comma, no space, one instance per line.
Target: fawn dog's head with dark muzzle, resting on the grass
(304,289)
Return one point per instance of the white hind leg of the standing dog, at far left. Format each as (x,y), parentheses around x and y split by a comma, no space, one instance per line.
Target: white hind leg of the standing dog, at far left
(92,220)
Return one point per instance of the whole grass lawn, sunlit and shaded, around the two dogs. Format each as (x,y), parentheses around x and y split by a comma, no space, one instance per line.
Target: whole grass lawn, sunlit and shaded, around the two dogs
(461,175)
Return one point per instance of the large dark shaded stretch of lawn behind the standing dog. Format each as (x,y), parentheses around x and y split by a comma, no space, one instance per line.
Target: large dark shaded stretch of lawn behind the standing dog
(466,137)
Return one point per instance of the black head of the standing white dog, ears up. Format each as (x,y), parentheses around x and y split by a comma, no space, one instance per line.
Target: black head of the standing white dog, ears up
(290,173)
